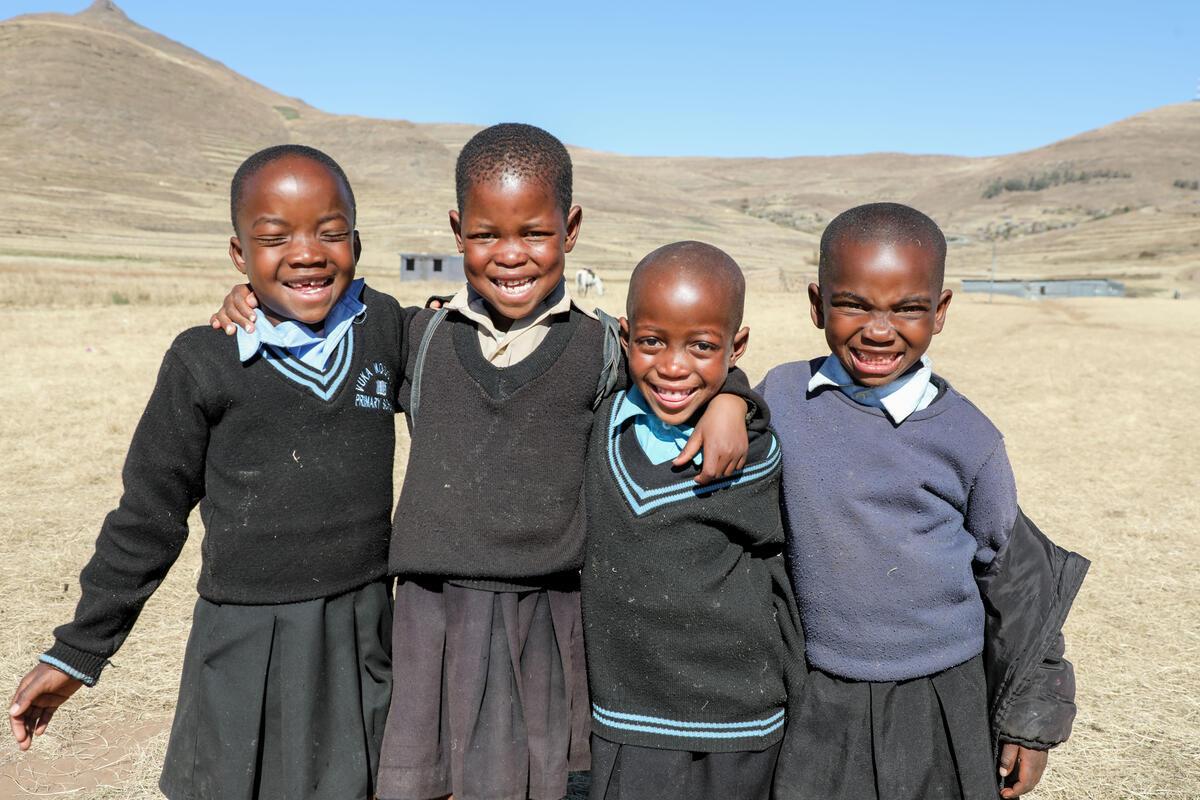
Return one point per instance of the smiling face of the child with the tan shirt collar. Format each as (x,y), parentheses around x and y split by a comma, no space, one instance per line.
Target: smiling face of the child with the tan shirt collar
(514,239)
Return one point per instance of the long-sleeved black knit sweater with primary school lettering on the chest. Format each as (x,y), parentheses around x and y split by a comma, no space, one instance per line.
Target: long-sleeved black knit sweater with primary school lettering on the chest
(292,470)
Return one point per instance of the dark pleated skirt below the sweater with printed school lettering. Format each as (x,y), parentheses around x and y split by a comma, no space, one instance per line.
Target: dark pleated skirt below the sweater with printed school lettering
(283,702)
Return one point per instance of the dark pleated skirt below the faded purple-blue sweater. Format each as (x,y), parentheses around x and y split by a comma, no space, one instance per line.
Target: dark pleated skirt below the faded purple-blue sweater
(922,739)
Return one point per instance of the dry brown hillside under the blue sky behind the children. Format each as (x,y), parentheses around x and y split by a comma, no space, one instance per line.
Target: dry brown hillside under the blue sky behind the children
(119,143)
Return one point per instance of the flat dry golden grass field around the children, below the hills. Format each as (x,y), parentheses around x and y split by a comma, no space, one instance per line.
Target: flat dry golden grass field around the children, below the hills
(1097,399)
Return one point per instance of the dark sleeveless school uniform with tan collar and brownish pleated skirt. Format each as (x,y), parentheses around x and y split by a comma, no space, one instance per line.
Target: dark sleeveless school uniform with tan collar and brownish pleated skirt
(490,696)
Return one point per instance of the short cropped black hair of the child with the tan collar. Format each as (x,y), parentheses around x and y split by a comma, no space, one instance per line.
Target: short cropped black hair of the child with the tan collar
(515,149)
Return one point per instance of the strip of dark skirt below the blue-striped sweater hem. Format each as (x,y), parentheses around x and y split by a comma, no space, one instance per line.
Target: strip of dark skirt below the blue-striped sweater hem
(633,773)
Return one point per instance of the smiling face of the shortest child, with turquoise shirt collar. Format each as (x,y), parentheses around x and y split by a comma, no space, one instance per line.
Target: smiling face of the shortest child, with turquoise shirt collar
(681,340)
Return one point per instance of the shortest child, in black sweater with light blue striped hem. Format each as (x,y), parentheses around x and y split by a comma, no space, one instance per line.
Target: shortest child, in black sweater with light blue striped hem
(689,621)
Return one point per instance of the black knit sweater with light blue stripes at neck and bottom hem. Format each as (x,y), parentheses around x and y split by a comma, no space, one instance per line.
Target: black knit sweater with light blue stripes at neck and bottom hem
(688,616)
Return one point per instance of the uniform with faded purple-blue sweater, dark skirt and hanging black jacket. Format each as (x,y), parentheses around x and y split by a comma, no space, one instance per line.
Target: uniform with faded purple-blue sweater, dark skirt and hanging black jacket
(903,512)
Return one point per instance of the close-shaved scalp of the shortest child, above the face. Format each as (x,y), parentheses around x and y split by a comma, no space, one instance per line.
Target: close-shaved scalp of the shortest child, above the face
(695,266)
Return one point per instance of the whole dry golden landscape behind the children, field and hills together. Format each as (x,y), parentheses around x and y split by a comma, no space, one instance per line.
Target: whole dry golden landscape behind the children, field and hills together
(116,157)
